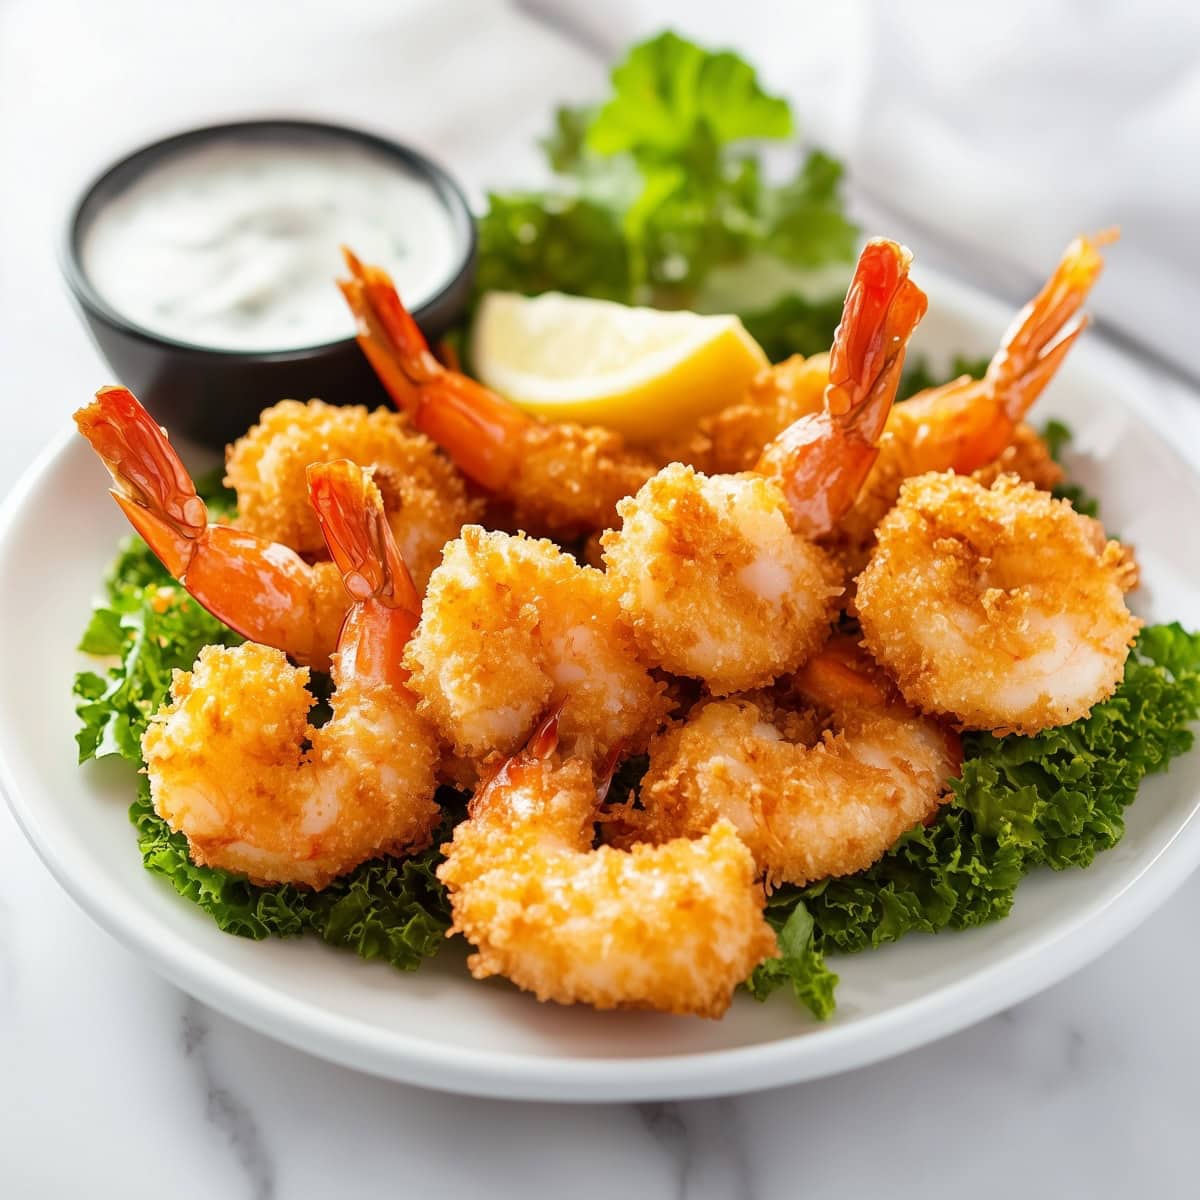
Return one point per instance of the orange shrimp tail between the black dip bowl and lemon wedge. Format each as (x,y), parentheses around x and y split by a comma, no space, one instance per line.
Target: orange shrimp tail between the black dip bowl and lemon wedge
(477,428)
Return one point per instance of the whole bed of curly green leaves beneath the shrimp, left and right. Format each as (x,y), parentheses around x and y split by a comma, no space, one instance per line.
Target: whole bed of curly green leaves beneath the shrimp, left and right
(1055,800)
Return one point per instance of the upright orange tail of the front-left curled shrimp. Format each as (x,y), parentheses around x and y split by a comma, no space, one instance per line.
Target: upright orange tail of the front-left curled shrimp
(387,605)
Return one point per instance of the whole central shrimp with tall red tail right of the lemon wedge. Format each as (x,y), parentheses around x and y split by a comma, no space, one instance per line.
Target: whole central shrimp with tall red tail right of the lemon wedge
(721,575)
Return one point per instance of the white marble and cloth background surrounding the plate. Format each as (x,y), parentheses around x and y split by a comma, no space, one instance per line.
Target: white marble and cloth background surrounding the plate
(115,1084)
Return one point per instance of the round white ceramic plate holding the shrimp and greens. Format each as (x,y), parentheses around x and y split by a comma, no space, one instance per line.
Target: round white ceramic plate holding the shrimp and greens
(441,1029)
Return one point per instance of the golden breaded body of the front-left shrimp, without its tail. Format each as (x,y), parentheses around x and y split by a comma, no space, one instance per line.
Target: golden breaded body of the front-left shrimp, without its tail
(229,770)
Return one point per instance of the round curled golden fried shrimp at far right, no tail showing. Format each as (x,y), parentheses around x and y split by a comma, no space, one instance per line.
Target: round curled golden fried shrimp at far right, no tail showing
(1000,608)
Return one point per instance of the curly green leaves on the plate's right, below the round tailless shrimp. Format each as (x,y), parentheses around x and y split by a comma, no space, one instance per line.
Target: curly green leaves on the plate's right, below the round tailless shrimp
(1055,800)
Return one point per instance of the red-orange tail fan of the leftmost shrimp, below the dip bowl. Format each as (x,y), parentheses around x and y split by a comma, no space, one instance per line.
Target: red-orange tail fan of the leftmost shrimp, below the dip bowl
(154,489)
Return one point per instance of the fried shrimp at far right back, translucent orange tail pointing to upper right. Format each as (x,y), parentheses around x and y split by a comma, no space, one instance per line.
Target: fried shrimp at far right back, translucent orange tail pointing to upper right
(969,424)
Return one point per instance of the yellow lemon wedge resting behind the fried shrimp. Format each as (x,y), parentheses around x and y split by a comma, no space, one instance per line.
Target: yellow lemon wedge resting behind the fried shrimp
(640,371)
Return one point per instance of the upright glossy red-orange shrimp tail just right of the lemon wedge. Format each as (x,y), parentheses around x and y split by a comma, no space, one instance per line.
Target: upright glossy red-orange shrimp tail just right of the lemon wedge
(823,460)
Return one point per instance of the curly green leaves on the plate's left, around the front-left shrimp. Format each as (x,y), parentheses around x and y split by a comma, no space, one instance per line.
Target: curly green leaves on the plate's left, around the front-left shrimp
(387,909)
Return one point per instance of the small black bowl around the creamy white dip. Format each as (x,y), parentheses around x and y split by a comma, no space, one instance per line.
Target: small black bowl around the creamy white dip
(214,395)
